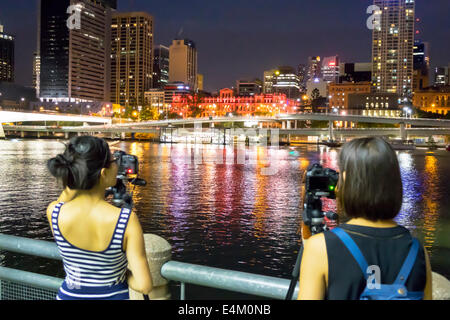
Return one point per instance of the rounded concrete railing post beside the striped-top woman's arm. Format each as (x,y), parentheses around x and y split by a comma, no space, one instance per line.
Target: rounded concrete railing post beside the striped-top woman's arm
(158,251)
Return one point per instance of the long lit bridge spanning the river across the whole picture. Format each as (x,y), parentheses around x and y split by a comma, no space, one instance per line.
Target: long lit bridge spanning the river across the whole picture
(420,127)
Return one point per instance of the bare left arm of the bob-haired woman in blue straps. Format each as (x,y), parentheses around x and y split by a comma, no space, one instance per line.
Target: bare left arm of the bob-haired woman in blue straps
(314,269)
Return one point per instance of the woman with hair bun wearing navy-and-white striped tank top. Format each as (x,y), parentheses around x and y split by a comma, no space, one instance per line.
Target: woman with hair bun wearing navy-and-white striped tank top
(102,246)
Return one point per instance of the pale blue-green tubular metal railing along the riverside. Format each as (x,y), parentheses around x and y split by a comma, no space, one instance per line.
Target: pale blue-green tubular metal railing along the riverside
(22,285)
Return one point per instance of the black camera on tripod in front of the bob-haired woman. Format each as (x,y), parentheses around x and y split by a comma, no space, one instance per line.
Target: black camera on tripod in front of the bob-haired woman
(320,182)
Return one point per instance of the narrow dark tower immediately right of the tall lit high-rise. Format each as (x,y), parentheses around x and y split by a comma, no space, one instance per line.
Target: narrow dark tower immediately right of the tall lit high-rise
(421,65)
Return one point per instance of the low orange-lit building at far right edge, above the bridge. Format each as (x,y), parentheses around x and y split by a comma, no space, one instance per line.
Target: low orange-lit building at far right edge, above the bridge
(433,99)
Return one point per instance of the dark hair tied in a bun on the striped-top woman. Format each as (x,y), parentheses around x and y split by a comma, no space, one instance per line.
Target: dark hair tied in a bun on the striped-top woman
(80,165)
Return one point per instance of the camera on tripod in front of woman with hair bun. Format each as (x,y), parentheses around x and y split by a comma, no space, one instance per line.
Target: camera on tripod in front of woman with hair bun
(128,166)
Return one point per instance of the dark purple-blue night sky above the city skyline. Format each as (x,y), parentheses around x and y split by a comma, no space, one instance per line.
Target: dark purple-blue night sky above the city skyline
(239,39)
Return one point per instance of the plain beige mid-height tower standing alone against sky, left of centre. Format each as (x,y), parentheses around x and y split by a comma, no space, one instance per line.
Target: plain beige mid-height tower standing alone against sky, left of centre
(183,62)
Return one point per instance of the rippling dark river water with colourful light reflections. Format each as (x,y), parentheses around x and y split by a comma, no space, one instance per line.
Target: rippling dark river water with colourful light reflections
(226,213)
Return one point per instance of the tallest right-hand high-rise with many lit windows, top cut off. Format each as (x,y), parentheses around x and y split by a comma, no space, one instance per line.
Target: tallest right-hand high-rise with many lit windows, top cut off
(392,46)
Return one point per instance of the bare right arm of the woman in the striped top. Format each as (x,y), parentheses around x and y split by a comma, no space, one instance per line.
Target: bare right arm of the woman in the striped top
(139,278)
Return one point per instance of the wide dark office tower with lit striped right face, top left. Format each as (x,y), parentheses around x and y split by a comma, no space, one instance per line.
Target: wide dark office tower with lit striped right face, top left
(74,58)
